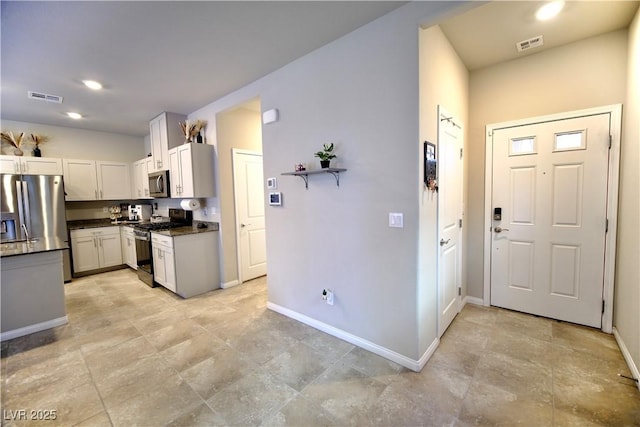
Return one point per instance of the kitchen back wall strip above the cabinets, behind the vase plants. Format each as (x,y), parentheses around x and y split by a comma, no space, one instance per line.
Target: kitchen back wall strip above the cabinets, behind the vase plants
(73,143)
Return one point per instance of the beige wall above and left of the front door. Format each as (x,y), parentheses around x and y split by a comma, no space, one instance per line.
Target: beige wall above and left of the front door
(585,74)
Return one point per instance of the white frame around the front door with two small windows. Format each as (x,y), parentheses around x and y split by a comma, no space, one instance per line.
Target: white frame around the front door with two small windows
(612,198)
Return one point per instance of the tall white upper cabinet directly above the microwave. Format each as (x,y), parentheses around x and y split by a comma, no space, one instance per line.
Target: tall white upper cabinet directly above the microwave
(165,133)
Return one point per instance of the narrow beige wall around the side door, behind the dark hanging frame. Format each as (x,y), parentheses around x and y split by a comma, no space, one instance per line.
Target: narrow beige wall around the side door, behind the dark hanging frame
(444,80)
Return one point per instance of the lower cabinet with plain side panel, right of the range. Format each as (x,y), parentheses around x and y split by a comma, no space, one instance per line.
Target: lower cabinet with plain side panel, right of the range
(186,264)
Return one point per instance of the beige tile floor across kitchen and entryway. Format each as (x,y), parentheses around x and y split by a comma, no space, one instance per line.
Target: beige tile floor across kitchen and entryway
(132,355)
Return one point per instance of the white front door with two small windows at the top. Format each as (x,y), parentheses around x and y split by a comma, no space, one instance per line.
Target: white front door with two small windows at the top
(548,247)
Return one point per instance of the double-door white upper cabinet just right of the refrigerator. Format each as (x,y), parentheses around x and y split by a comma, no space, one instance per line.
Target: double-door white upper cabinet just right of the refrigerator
(96,180)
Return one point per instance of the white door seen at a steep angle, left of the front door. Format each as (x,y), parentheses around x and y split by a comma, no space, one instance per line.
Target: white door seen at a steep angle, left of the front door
(450,208)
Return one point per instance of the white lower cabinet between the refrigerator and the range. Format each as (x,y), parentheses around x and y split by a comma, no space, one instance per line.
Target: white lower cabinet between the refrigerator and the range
(95,248)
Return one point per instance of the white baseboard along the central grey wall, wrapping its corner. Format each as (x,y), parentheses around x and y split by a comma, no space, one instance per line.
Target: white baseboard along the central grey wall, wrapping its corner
(414,365)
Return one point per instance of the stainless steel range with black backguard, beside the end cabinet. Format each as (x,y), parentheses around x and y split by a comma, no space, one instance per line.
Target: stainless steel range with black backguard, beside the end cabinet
(142,233)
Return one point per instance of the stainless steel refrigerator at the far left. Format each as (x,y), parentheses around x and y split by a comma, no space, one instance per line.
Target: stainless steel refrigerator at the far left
(32,207)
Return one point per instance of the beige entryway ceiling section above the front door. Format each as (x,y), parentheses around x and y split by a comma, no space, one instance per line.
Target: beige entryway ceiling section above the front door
(487,35)
